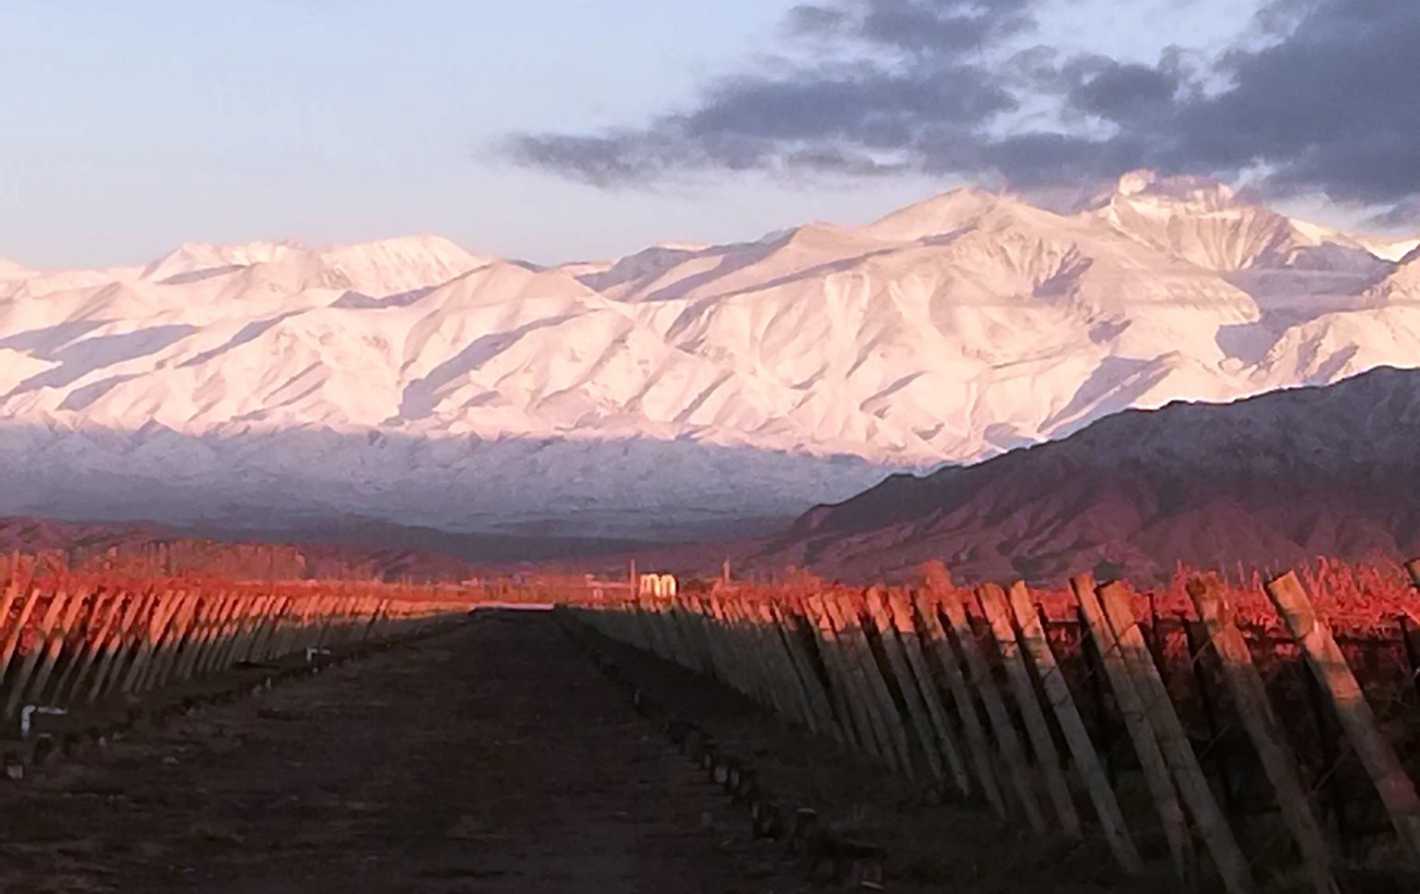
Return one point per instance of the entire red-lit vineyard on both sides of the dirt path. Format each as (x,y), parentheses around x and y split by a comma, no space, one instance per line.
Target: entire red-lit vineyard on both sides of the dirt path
(1239,734)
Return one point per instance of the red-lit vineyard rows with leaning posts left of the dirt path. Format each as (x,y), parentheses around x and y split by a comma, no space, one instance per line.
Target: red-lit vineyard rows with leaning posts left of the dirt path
(80,651)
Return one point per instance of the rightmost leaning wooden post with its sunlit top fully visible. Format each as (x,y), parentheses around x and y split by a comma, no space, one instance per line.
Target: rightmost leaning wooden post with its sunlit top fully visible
(1328,665)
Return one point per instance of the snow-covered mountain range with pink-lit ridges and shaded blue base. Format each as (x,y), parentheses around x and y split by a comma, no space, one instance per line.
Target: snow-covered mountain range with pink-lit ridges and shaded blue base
(677,390)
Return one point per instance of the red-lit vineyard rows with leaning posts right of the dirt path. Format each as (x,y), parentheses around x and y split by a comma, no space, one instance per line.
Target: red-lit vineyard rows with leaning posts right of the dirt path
(1247,733)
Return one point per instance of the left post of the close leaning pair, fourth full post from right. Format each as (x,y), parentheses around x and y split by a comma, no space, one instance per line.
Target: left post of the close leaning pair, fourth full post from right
(1141,733)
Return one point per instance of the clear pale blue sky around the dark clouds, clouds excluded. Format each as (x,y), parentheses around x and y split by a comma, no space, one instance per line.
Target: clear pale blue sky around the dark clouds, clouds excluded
(130,128)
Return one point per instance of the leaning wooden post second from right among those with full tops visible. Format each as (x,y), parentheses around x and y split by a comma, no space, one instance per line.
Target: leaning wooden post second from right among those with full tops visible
(1265,729)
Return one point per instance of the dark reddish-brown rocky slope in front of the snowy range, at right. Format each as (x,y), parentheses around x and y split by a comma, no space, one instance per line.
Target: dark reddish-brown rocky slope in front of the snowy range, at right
(1270,482)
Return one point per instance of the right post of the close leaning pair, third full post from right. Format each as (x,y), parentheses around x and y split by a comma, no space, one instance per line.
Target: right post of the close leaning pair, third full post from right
(1174,740)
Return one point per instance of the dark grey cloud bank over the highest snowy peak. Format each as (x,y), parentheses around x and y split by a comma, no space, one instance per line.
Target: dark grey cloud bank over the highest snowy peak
(1321,99)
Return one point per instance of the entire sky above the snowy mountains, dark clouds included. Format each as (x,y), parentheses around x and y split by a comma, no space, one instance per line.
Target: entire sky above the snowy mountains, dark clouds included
(579,130)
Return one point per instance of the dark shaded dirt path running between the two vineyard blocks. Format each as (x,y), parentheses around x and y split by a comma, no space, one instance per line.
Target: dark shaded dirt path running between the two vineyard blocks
(489,760)
